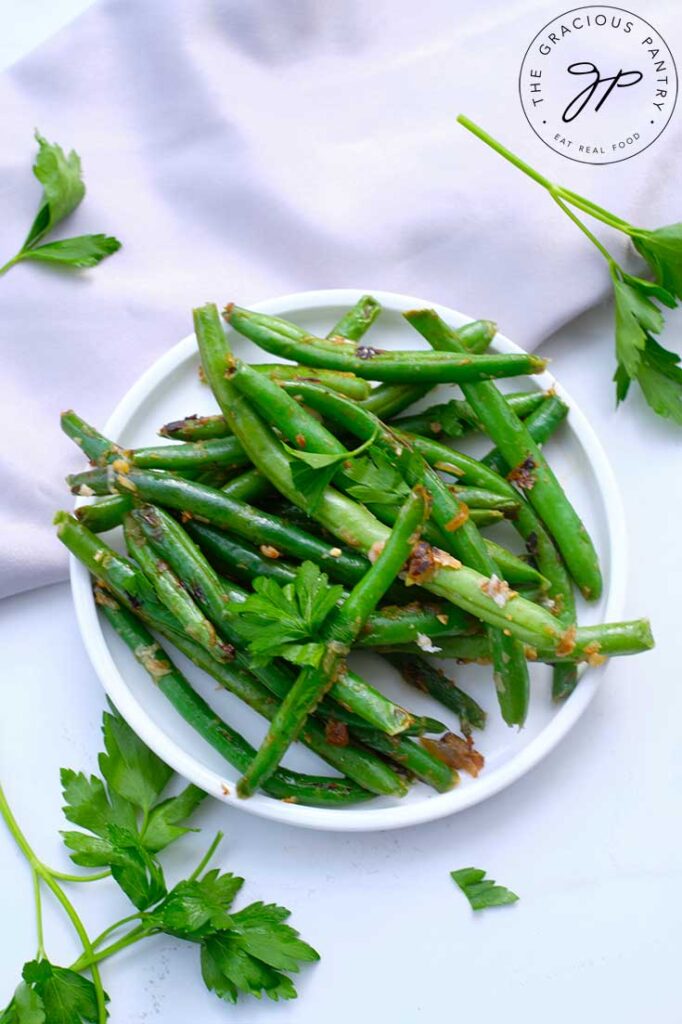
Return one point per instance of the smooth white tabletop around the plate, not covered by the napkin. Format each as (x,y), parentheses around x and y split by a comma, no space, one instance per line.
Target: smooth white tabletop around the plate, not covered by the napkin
(590,840)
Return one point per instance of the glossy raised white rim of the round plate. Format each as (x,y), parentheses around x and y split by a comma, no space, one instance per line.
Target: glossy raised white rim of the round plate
(367,819)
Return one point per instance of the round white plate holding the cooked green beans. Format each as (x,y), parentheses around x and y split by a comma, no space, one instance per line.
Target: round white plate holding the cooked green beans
(172,390)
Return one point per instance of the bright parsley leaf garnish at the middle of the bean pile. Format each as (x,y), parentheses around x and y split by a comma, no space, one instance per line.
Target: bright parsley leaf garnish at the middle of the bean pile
(285,622)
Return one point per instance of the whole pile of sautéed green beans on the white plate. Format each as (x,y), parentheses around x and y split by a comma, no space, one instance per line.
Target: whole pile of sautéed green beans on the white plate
(231,505)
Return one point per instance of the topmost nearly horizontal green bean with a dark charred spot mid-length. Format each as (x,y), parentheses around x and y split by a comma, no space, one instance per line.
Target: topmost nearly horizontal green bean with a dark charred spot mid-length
(286,340)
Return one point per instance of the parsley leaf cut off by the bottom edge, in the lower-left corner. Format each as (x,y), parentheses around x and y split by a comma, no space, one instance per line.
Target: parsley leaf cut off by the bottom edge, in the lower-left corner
(62,996)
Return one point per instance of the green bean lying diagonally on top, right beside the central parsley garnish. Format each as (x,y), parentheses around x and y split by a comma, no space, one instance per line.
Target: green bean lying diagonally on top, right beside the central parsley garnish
(343,628)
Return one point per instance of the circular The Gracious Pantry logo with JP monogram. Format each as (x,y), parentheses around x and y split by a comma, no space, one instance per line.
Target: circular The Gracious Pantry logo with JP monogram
(599,84)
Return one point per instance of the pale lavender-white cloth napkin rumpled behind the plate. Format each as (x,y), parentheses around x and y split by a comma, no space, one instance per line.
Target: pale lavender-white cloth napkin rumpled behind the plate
(241,151)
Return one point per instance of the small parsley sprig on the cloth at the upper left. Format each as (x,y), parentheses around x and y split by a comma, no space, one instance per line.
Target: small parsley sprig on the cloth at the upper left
(63,192)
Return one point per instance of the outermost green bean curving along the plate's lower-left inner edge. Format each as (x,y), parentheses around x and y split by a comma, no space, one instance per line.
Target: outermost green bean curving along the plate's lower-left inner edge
(283,785)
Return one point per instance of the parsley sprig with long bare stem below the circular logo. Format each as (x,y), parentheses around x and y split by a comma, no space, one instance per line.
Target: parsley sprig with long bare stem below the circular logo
(638,302)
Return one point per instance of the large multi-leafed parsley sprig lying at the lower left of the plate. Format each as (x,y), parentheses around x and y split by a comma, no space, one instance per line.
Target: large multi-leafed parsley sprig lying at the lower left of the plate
(126,825)
